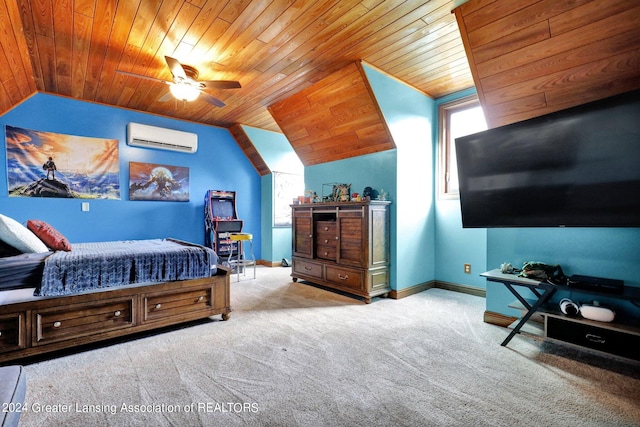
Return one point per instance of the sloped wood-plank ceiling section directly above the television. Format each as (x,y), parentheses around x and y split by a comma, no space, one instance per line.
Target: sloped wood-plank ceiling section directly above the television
(534,57)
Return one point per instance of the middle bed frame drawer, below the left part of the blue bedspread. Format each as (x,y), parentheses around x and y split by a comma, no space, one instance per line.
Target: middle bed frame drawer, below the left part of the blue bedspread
(66,323)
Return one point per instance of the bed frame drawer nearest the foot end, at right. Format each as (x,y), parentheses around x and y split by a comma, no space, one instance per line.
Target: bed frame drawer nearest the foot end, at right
(176,303)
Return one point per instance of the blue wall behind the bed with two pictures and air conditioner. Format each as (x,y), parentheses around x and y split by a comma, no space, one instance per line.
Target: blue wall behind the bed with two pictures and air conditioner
(218,164)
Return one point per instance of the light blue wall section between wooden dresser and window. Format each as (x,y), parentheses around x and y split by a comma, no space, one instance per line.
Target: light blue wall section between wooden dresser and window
(409,115)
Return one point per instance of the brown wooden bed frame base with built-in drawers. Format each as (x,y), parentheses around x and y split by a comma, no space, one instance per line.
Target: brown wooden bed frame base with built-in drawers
(46,324)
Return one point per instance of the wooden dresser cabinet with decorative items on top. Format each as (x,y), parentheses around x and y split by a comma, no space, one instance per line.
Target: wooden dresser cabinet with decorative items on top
(343,246)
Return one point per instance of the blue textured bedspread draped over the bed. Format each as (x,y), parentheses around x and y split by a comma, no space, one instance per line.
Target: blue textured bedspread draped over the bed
(106,264)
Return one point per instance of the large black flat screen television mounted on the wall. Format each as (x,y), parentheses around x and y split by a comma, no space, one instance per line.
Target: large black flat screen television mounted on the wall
(579,167)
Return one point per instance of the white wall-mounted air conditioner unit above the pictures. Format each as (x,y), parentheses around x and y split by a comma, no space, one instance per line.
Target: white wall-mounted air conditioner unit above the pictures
(146,136)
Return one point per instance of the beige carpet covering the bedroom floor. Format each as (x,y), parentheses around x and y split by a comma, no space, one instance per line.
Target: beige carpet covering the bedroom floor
(296,355)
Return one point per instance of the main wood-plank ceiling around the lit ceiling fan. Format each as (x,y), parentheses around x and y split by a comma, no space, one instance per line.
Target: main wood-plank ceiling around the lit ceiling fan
(274,48)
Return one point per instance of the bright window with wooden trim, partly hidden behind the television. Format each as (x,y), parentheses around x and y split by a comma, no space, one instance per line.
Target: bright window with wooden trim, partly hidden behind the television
(457,118)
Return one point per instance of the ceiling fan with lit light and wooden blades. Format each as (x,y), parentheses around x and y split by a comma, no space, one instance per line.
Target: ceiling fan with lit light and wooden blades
(186,86)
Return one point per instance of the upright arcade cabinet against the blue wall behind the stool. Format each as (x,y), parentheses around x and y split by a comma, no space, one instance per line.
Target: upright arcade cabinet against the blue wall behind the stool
(221,219)
